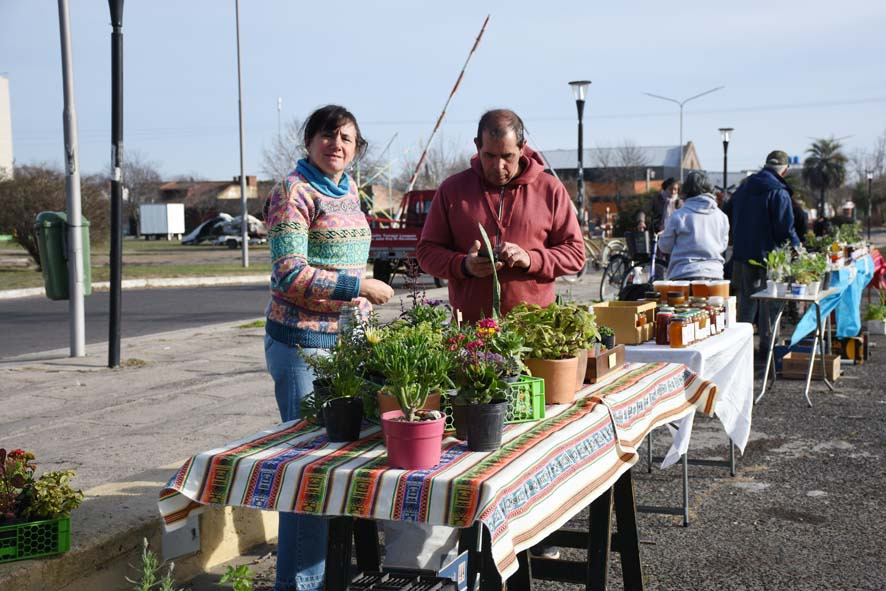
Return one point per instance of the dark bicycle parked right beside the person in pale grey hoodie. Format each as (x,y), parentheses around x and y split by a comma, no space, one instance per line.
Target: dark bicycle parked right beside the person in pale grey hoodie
(623,267)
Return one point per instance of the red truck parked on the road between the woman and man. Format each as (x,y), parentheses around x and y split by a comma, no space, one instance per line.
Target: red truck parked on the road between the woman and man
(394,240)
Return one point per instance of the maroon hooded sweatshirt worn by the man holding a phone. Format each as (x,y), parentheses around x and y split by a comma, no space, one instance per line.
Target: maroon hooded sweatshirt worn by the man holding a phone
(536,214)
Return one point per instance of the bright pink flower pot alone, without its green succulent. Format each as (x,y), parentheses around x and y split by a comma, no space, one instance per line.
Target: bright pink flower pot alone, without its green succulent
(412,446)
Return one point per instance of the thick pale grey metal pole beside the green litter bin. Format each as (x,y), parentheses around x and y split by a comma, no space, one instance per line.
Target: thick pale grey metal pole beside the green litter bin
(72,190)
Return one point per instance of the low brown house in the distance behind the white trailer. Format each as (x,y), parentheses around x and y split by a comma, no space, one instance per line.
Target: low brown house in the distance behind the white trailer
(206,199)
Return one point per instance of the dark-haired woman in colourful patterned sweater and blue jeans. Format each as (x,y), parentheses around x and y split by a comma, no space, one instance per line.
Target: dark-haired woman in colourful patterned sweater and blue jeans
(319,242)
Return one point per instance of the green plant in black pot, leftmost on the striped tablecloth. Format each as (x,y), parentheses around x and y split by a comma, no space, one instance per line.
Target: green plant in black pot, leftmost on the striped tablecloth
(339,386)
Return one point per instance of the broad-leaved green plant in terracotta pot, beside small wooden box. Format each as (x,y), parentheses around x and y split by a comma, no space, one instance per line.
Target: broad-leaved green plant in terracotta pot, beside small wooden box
(549,335)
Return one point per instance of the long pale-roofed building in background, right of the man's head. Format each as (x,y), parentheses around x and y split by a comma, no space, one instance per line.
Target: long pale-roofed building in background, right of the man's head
(611,173)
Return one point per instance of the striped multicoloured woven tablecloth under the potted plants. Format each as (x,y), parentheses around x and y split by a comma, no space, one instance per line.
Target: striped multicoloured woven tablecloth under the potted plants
(543,474)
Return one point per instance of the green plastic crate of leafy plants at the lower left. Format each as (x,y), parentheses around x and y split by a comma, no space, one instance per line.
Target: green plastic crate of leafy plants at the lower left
(34,512)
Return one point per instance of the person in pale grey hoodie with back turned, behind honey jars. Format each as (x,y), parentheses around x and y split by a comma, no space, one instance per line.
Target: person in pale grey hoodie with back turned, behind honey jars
(696,235)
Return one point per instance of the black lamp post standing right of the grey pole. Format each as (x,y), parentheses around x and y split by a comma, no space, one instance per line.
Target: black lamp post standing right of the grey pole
(116,262)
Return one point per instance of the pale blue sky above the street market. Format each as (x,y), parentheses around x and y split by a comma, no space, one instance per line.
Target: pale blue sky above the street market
(791,70)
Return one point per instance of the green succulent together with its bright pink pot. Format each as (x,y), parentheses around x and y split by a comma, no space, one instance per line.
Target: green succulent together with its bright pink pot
(415,364)
